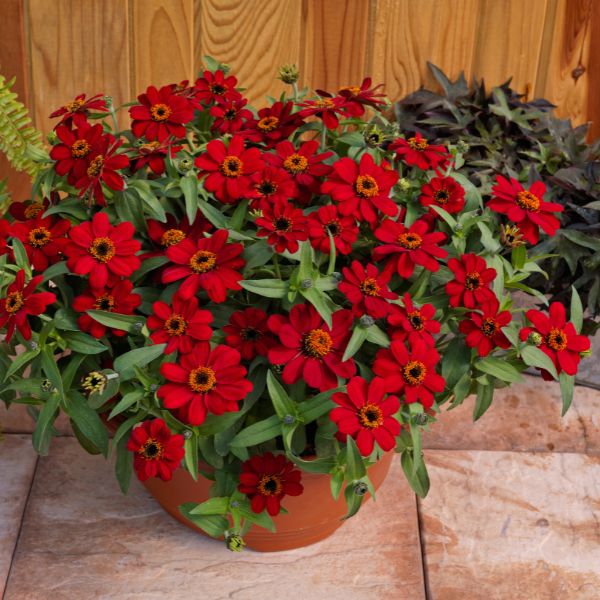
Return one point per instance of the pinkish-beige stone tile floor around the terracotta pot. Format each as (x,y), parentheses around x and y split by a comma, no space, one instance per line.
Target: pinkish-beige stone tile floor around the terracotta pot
(513,513)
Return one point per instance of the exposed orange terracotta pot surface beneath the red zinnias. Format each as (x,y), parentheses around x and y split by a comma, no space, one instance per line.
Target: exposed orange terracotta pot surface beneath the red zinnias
(314,515)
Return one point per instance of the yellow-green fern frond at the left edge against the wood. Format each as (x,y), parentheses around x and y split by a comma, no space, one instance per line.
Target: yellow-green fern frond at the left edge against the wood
(16,131)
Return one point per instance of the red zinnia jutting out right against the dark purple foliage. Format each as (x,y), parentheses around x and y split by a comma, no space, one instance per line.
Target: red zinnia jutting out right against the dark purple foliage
(527,209)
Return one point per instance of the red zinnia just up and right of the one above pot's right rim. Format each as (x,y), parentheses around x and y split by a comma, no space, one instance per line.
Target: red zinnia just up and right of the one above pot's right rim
(414,373)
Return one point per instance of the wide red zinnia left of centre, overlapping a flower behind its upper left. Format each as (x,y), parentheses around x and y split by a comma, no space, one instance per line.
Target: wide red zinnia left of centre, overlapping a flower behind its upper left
(209,263)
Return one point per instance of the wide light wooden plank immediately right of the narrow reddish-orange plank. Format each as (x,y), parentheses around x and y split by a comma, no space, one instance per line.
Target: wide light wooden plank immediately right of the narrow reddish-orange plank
(407,34)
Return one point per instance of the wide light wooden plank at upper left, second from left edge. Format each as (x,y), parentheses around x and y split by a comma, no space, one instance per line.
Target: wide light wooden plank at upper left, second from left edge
(77,47)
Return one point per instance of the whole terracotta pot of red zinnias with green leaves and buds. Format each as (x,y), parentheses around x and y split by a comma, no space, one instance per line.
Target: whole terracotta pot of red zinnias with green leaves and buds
(263,306)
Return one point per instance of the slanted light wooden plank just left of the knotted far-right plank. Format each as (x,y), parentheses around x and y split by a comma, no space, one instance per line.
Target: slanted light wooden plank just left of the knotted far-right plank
(508,42)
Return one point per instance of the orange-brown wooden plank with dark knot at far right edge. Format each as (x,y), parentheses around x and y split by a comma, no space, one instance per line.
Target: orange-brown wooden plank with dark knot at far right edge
(565,74)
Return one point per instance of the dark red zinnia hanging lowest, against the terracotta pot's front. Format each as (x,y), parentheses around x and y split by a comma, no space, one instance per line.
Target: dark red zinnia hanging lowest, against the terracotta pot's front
(267,479)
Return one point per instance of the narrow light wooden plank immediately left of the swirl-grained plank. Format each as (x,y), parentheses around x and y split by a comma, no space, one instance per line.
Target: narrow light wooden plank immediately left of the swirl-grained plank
(163,33)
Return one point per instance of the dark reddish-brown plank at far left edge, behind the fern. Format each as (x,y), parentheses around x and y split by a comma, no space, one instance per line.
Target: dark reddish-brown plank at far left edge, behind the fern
(13,64)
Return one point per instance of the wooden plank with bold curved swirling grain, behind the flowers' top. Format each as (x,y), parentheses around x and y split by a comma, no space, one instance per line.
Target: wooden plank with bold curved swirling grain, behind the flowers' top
(255,37)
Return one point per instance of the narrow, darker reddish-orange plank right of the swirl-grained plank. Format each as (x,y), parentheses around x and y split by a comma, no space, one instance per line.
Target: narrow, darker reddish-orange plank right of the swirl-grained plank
(335,45)
